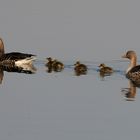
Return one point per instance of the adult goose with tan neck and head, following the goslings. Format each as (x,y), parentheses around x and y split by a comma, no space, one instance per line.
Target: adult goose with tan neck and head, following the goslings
(133,70)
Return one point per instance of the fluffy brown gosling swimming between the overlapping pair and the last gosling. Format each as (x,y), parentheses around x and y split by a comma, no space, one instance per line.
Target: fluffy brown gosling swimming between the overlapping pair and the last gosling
(80,69)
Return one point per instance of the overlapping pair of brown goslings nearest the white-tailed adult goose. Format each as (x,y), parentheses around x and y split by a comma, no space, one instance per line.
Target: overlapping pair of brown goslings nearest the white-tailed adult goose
(54,65)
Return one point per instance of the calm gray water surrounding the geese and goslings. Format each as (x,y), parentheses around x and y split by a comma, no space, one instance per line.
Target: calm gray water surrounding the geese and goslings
(61,105)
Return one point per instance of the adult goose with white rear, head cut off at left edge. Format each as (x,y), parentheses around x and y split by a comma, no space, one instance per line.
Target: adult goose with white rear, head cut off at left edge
(14,58)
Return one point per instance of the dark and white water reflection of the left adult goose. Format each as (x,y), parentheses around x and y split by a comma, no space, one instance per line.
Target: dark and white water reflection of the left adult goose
(28,69)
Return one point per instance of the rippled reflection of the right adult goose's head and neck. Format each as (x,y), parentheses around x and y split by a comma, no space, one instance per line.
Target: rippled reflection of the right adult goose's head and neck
(130,92)
